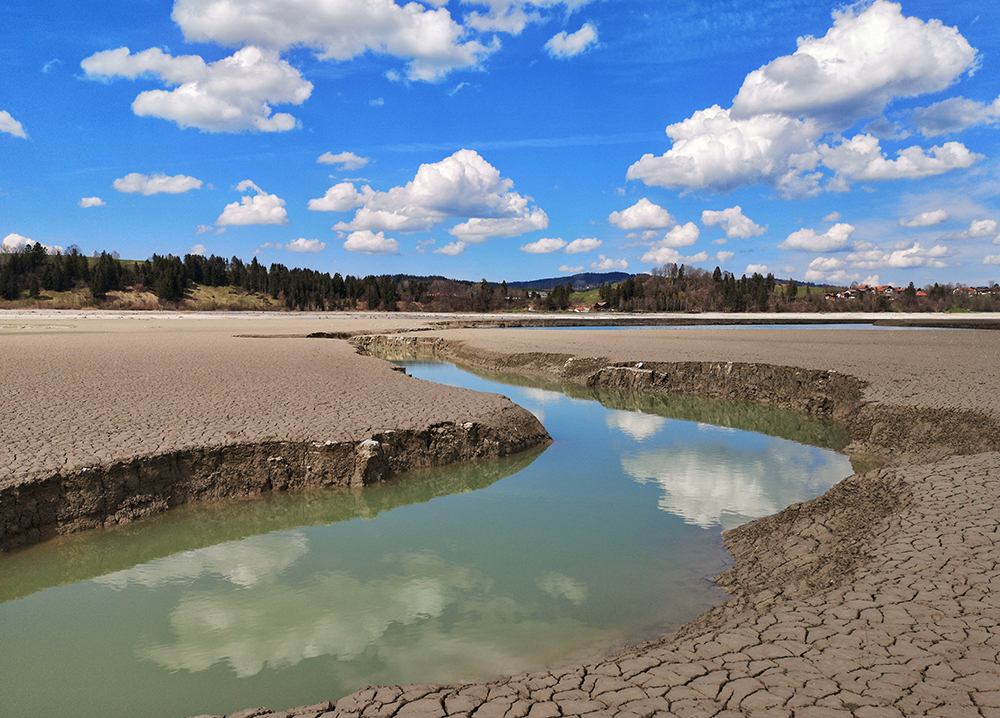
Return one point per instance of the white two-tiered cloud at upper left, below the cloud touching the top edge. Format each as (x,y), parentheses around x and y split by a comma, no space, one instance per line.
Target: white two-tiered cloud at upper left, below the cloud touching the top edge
(232,95)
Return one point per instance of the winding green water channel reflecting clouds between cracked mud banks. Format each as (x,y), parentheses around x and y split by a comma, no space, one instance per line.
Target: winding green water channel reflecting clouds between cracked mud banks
(606,537)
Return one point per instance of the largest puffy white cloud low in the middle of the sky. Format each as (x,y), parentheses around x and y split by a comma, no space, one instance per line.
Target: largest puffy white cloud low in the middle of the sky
(461,186)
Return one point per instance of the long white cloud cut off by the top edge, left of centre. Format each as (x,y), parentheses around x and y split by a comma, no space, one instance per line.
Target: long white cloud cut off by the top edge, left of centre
(432,42)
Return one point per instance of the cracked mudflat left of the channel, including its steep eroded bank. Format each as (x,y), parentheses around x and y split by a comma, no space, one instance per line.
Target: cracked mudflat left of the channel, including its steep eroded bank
(111,417)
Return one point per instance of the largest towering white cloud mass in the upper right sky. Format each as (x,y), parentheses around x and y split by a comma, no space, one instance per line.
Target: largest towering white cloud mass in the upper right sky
(872,55)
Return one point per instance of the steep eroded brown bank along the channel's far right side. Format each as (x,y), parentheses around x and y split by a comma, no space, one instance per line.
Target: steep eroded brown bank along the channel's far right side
(891,434)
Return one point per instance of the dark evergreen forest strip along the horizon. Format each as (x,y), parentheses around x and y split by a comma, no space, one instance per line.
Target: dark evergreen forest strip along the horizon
(33,277)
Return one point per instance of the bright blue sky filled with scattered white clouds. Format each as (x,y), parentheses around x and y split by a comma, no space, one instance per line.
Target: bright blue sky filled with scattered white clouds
(510,140)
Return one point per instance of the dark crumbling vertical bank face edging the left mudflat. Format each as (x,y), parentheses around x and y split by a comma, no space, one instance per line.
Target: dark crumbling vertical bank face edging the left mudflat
(36,508)
